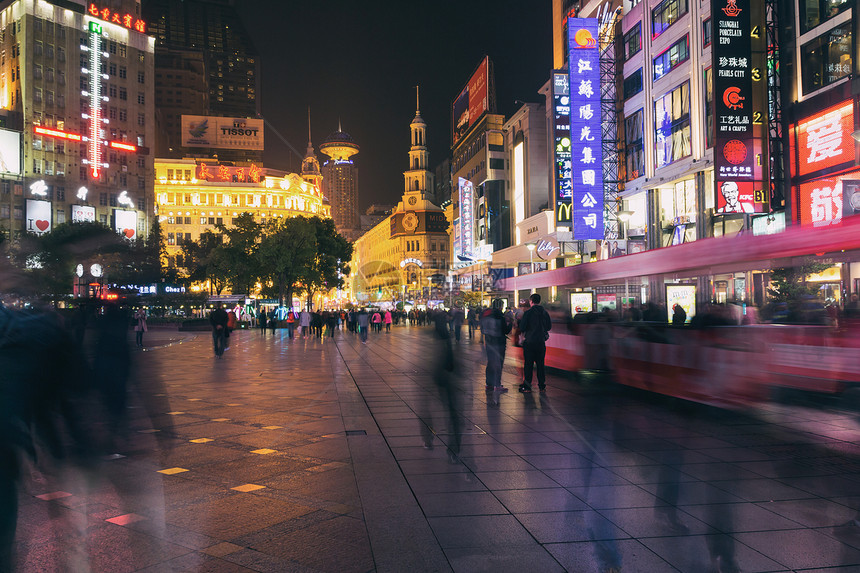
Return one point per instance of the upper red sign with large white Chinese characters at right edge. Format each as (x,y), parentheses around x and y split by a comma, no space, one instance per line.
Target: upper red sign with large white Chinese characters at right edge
(824,140)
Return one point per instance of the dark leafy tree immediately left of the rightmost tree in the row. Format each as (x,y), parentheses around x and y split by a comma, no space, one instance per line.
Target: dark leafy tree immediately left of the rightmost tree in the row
(288,246)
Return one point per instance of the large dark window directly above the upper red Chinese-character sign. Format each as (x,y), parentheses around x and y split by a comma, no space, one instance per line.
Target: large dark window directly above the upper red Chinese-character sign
(826,59)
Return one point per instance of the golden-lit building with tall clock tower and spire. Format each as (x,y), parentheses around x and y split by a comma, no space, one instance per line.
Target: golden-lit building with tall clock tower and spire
(406,256)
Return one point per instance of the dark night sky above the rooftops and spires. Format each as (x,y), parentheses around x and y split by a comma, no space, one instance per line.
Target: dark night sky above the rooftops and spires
(360,60)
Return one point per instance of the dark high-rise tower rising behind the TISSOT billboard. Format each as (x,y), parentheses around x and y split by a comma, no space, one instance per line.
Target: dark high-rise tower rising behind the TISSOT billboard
(210,57)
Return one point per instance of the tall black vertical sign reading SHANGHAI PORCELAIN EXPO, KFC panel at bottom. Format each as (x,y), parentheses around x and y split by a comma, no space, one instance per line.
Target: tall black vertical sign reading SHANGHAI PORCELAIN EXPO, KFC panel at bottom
(739,120)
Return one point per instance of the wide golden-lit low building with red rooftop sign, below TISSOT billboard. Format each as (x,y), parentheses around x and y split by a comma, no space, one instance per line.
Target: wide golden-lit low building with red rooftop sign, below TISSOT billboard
(194,195)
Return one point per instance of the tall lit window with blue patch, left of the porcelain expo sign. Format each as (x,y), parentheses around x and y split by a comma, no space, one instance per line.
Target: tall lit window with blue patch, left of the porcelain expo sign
(672,124)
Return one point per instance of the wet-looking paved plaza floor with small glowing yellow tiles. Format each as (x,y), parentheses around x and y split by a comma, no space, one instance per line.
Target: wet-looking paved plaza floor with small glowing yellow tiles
(307,455)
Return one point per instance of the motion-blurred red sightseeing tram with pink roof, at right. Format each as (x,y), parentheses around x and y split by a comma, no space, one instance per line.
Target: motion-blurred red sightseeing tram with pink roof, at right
(727,366)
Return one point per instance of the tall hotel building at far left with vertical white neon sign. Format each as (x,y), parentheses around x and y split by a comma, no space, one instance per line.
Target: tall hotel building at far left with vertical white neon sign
(76,80)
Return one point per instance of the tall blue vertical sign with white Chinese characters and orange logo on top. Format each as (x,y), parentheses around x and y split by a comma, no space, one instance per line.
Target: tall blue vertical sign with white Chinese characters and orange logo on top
(585,137)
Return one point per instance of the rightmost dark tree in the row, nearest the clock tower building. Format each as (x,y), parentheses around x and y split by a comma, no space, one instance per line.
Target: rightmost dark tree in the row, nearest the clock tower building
(329,266)
